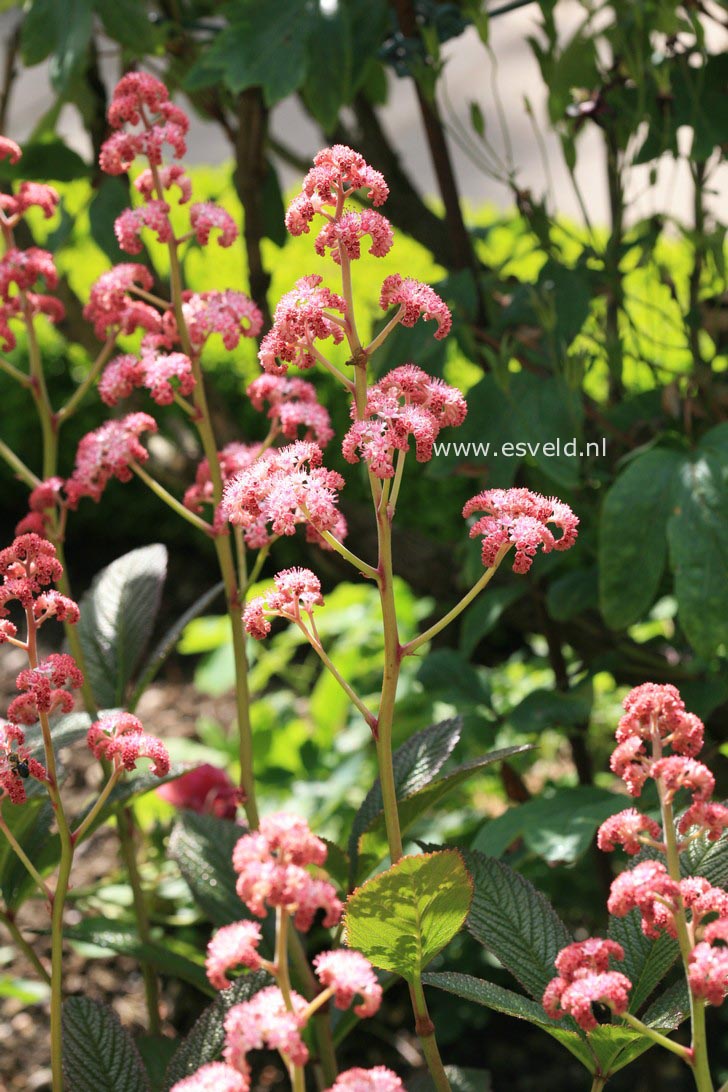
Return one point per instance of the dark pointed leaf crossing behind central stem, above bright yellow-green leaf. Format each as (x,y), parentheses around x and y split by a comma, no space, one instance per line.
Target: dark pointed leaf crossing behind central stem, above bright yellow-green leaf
(416,763)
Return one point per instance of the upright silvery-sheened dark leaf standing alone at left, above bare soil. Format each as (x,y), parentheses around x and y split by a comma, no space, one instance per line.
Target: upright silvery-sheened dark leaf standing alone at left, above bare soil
(117,619)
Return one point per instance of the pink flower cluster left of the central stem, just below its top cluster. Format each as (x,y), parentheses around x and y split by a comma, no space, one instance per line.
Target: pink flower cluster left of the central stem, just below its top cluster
(304,316)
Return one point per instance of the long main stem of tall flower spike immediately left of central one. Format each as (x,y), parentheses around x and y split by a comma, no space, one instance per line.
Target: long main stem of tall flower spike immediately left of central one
(223,545)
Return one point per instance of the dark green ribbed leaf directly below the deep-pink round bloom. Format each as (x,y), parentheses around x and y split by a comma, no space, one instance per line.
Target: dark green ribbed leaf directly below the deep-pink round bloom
(202,847)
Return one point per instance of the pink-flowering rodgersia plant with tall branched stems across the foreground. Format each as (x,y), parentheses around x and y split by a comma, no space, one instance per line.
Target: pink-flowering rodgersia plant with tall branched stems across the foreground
(244,498)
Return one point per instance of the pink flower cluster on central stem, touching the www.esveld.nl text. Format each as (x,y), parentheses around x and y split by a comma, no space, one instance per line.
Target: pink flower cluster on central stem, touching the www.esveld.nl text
(407,402)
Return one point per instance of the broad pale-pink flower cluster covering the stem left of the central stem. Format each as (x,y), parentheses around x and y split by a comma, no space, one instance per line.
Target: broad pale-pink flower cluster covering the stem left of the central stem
(288,489)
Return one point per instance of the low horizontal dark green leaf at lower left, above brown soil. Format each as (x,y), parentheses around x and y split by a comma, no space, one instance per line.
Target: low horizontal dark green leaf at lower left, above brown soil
(164,956)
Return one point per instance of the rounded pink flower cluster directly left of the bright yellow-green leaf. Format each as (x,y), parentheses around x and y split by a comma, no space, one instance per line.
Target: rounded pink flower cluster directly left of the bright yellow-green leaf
(272,867)
